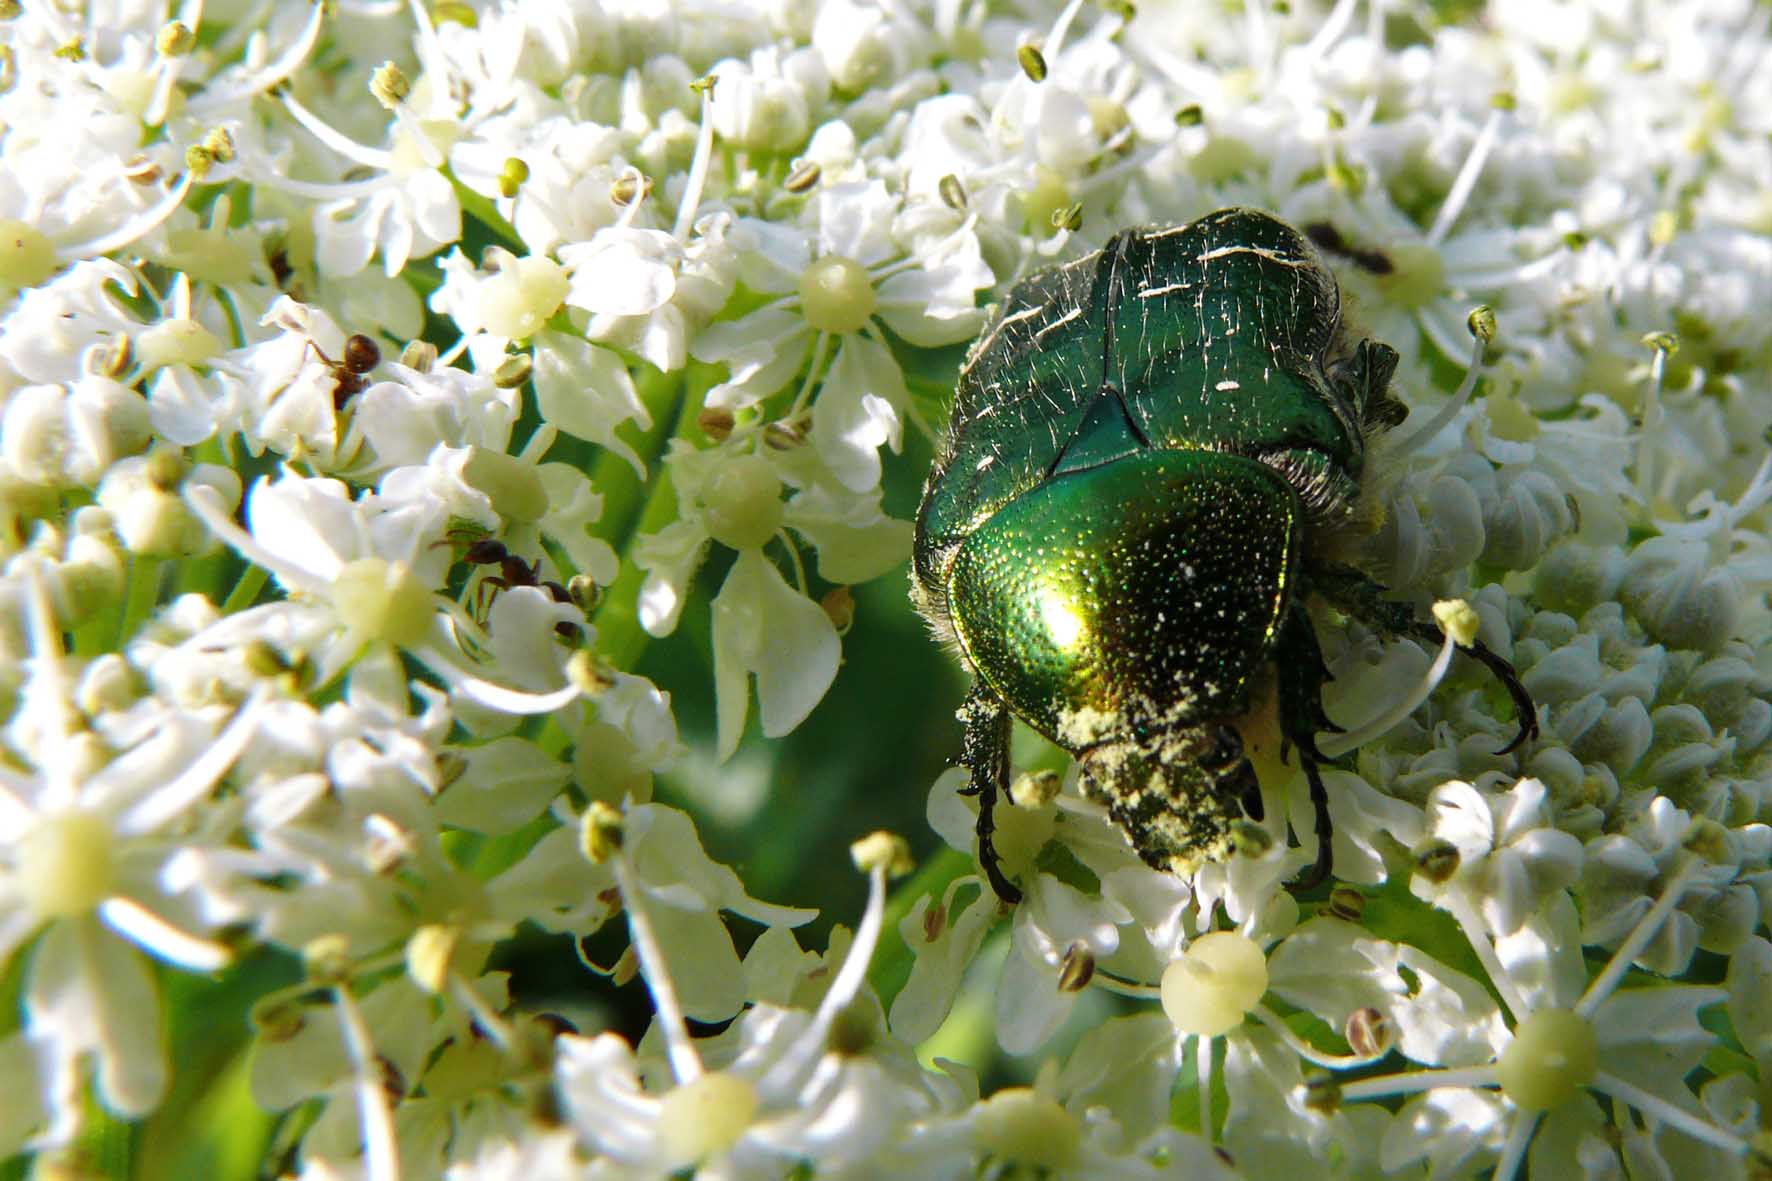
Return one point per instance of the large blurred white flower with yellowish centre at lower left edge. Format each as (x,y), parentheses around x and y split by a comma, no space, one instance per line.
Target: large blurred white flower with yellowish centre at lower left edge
(84,838)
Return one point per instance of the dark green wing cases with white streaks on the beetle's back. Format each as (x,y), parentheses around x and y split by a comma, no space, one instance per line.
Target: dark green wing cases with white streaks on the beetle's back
(1216,336)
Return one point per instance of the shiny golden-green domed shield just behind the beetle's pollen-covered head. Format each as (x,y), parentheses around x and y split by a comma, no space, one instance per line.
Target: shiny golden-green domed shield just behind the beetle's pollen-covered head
(1133,595)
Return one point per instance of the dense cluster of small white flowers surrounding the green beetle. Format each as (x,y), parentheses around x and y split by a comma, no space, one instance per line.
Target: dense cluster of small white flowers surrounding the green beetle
(377,377)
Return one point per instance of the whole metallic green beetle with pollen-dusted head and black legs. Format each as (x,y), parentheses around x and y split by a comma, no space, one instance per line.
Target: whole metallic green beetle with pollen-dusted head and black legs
(1151,458)
